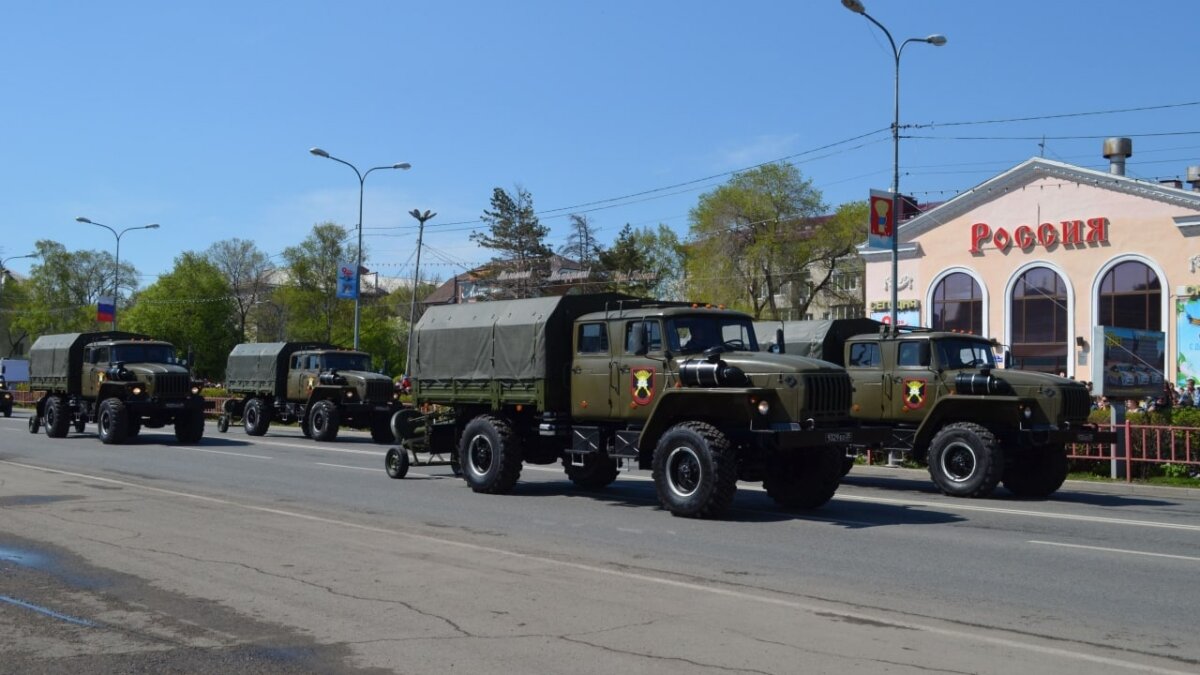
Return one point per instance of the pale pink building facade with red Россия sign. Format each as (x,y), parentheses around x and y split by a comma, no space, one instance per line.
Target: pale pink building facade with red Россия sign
(1042,254)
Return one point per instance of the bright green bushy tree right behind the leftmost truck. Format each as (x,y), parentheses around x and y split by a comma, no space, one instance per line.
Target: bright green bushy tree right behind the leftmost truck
(193,308)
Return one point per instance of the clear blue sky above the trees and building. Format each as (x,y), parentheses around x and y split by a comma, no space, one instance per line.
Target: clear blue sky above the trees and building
(200,116)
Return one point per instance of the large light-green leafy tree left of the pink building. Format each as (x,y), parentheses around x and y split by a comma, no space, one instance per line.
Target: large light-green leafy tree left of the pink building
(758,235)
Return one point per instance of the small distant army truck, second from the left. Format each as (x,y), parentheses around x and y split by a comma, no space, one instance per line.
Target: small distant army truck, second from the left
(320,386)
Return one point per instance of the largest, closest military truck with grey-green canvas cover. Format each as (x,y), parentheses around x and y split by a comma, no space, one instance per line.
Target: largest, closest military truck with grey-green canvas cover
(603,381)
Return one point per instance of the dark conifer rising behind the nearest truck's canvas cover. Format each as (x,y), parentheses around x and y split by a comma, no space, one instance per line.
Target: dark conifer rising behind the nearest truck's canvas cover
(517,235)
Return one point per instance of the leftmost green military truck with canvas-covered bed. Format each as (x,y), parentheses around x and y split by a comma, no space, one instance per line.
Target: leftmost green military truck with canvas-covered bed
(122,381)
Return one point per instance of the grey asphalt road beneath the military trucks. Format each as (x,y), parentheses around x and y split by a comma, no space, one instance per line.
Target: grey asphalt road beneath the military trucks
(284,555)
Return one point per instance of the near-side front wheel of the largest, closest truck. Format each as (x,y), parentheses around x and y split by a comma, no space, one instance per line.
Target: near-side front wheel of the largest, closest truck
(695,471)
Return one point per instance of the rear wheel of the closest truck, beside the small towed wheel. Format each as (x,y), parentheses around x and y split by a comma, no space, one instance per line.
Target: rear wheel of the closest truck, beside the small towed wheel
(490,456)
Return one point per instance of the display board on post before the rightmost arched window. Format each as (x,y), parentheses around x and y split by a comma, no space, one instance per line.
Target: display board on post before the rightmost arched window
(1129,363)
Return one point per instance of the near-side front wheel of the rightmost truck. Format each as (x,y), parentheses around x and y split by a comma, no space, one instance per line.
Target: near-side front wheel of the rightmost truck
(965,461)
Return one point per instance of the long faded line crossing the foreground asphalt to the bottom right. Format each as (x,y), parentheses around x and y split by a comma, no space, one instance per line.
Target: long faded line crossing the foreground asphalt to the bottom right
(643,577)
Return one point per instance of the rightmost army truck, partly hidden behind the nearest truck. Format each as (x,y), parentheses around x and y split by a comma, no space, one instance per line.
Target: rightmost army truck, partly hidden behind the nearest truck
(949,407)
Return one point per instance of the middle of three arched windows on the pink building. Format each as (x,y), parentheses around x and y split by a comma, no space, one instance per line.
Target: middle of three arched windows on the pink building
(1040,321)
